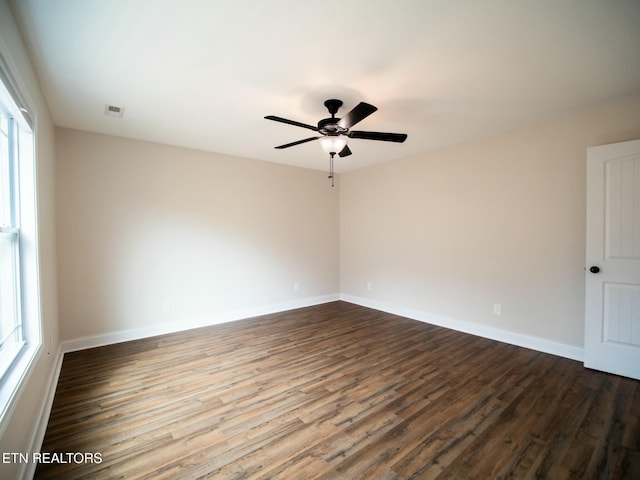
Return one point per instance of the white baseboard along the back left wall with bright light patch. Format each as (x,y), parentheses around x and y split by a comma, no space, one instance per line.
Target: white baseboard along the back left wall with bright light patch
(214,319)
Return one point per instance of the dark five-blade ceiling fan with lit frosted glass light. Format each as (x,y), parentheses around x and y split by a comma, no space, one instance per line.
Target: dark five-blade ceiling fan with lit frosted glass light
(335,132)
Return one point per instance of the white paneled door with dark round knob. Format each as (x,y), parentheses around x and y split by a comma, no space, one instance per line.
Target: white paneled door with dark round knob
(612,328)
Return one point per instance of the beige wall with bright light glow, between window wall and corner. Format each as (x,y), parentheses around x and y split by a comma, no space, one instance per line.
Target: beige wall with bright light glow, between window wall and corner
(153,235)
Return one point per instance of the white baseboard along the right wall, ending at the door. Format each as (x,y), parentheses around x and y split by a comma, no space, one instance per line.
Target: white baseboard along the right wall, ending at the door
(505,336)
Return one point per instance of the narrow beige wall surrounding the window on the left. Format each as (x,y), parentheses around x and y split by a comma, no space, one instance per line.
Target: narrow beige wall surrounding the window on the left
(20,427)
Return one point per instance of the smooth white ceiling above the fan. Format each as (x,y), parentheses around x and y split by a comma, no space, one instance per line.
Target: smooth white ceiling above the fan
(203,73)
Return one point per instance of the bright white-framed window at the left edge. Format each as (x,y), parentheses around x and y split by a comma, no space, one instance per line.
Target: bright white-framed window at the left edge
(20,323)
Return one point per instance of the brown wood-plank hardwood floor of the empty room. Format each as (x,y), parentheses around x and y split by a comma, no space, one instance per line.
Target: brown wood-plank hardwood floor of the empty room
(338,391)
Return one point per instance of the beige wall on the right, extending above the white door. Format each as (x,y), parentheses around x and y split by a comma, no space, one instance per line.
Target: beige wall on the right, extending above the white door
(502,220)
